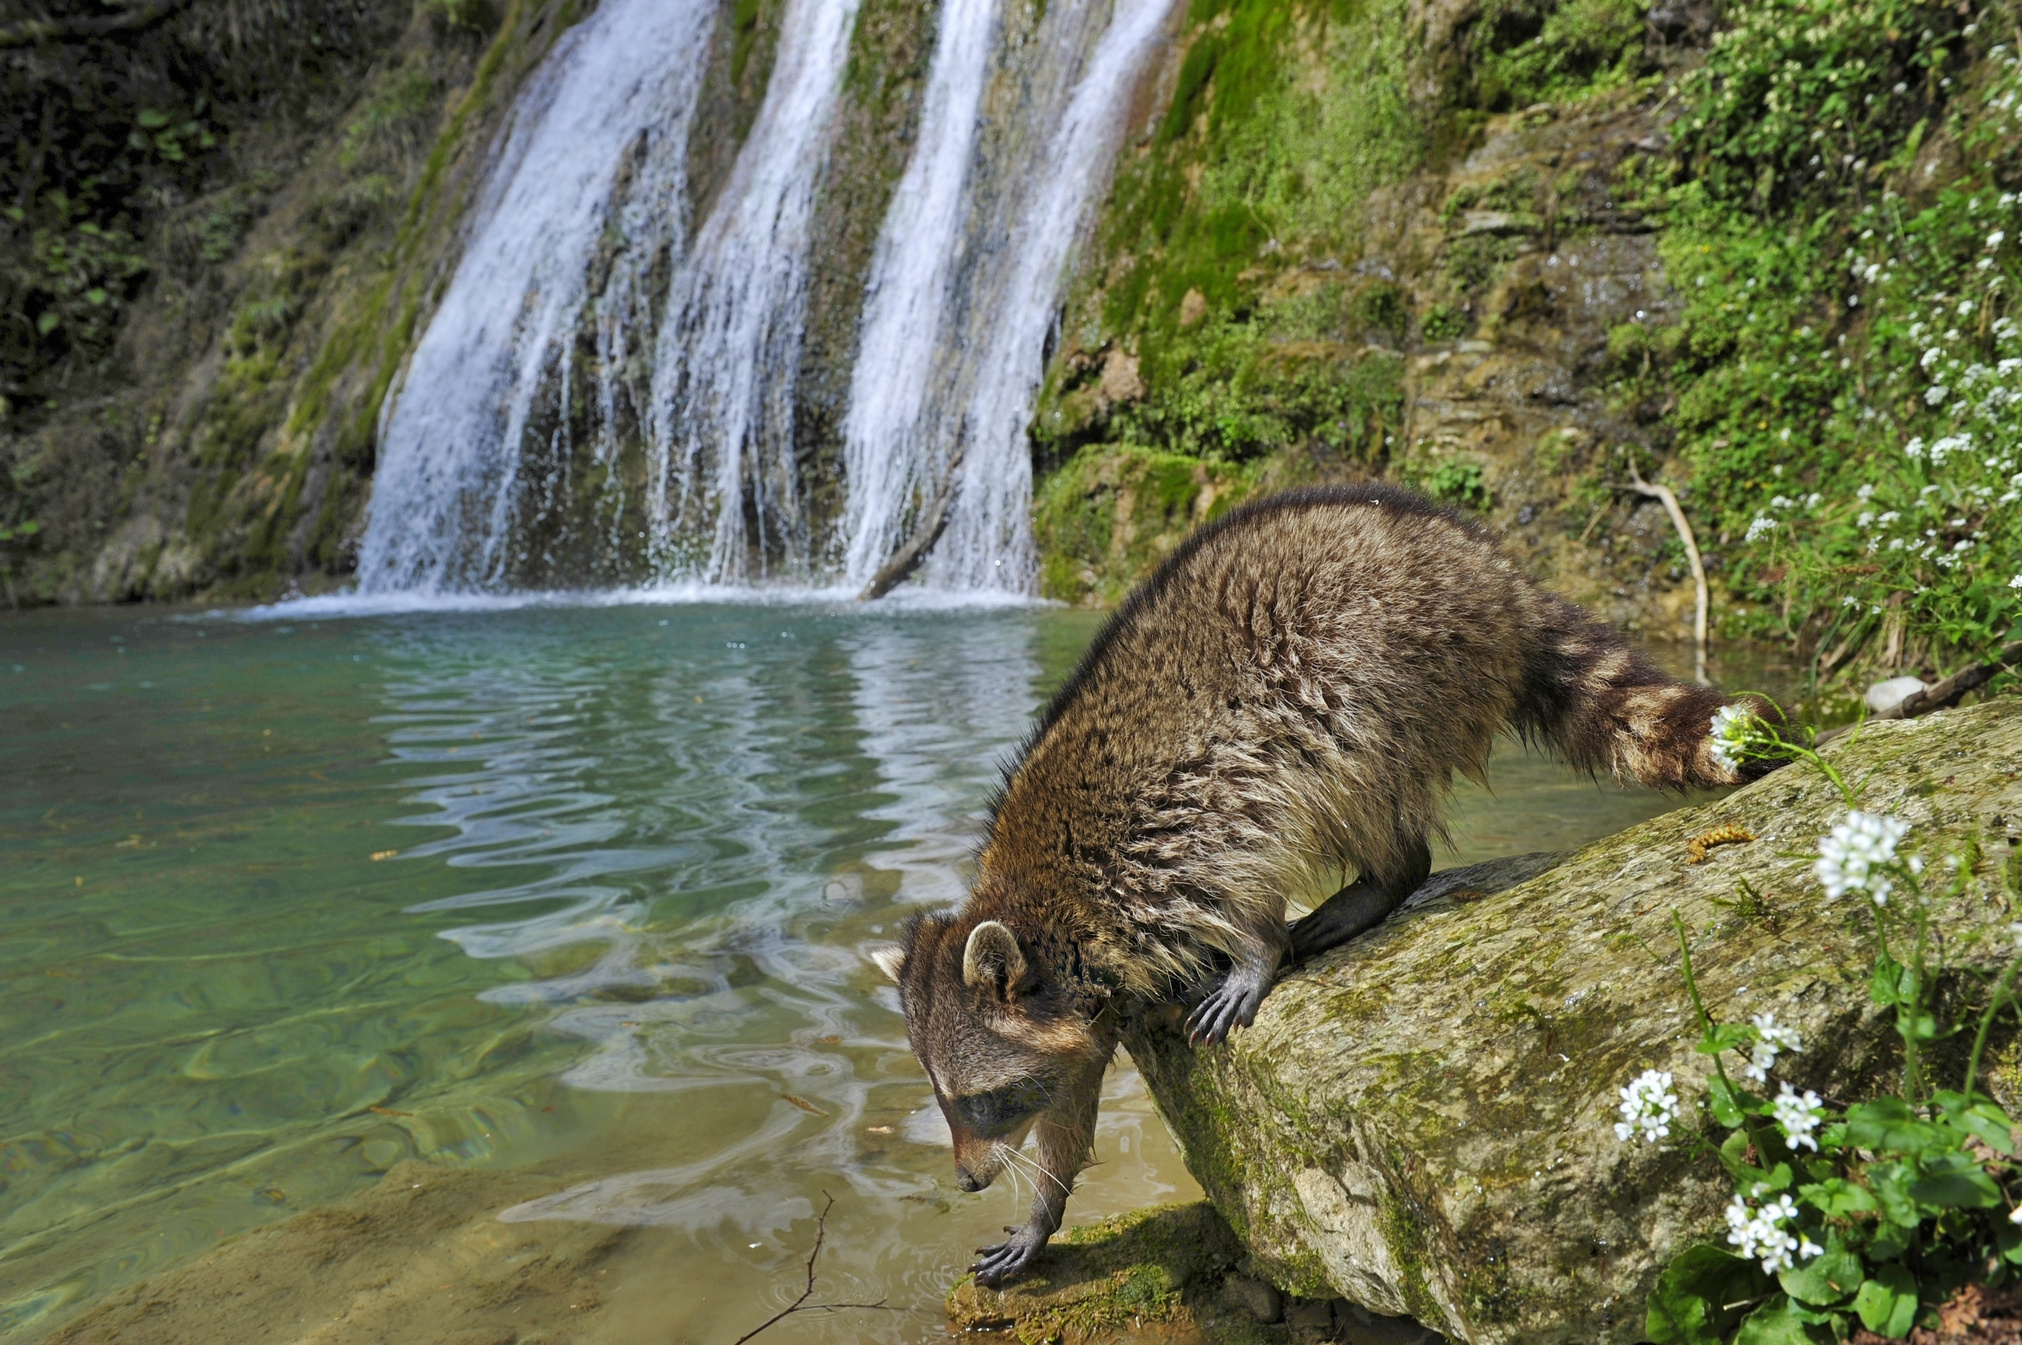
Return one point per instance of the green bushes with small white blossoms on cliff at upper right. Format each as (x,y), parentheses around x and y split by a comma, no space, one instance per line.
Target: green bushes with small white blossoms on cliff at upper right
(1849,395)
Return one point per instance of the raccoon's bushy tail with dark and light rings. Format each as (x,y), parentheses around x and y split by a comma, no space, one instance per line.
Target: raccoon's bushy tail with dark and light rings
(1606,707)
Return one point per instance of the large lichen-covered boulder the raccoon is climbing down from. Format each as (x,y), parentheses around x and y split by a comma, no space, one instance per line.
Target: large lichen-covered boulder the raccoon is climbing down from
(1422,1122)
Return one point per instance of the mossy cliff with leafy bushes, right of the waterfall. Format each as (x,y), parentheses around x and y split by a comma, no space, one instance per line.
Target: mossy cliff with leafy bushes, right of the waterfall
(1509,250)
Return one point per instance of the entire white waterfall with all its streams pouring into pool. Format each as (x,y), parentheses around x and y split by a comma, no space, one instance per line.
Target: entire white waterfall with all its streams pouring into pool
(565,420)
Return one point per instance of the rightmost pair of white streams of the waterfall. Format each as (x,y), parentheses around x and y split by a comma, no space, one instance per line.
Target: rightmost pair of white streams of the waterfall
(939,446)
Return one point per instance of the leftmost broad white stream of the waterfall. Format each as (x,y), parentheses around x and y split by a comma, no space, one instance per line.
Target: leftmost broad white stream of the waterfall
(446,495)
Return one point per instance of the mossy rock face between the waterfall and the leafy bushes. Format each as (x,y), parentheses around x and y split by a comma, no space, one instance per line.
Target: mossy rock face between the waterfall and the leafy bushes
(1348,254)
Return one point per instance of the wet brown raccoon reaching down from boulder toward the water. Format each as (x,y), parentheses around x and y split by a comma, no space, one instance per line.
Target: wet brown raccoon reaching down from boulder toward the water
(1283,705)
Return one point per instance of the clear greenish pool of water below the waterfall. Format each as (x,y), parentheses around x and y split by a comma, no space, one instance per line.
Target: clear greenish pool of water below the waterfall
(288,901)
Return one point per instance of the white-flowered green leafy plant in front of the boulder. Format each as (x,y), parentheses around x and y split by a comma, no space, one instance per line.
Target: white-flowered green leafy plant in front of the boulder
(1861,1217)
